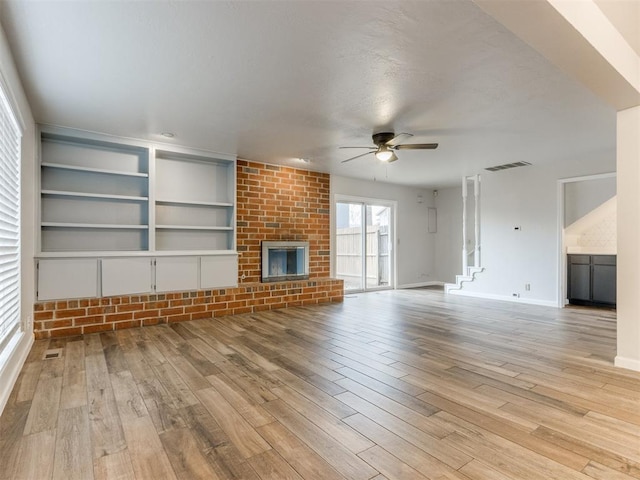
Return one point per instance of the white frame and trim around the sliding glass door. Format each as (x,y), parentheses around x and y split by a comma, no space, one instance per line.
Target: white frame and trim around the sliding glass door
(393,205)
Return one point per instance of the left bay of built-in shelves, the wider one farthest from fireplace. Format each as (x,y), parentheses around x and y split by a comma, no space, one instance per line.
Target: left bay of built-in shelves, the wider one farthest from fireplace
(94,195)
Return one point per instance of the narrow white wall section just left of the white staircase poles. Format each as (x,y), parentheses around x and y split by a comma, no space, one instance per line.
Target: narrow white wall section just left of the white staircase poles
(448,248)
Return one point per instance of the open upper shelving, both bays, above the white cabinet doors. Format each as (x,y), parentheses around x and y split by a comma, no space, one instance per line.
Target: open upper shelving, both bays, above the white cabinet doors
(149,200)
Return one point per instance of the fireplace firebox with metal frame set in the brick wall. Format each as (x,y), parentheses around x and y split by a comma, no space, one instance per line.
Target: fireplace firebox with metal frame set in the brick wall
(285,260)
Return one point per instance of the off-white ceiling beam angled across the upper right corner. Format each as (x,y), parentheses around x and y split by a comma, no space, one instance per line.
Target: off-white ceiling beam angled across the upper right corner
(578,38)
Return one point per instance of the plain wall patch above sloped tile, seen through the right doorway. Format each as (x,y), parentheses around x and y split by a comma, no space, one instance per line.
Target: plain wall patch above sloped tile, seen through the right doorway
(584,196)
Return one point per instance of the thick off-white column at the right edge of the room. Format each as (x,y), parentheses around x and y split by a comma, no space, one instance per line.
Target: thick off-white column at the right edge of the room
(628,264)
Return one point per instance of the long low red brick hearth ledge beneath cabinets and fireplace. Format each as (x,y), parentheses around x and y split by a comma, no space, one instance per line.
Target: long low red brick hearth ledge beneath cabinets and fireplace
(79,316)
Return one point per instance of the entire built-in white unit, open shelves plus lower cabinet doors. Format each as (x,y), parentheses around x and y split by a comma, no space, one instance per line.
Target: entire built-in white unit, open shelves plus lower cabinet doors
(121,201)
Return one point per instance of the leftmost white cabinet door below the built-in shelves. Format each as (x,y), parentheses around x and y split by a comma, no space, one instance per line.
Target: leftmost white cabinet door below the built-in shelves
(67,278)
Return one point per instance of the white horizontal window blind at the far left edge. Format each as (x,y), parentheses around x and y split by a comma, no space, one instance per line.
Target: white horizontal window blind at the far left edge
(10,136)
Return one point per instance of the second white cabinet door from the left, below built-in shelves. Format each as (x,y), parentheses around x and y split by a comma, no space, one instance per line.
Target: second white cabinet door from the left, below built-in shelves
(126,276)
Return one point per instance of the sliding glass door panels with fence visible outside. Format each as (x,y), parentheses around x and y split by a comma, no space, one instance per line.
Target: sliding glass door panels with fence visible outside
(363,245)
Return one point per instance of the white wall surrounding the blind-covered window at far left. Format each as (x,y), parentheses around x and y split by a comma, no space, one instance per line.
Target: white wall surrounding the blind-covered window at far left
(12,359)
